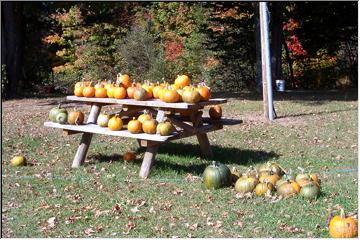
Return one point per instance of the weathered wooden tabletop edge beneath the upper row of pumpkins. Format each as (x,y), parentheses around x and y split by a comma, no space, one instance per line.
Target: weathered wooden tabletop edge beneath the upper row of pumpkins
(149,103)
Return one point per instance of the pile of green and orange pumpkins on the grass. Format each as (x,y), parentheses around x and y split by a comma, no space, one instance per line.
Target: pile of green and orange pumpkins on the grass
(268,178)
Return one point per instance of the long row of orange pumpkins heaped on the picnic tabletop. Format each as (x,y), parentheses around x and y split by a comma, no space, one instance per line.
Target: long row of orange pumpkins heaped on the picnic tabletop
(180,90)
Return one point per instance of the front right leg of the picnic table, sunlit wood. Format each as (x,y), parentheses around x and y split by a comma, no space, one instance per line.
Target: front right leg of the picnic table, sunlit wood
(151,150)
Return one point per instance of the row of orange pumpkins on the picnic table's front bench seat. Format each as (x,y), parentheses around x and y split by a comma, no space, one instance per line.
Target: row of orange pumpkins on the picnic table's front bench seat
(144,123)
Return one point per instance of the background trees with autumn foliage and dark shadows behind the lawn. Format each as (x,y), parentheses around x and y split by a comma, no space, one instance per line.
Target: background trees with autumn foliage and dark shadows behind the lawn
(314,45)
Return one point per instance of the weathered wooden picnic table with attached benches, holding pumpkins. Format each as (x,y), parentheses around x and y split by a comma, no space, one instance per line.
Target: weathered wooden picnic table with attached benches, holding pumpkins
(195,124)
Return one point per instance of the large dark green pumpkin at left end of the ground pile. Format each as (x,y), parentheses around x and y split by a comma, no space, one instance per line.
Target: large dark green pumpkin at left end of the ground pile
(216,176)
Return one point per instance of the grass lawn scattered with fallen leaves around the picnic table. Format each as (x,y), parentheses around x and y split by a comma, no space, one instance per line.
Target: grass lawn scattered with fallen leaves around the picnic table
(106,198)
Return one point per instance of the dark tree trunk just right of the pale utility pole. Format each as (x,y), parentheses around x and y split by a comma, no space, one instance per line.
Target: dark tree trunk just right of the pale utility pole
(276,43)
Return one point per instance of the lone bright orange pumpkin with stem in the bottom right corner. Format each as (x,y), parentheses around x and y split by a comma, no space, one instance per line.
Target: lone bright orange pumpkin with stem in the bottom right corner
(343,227)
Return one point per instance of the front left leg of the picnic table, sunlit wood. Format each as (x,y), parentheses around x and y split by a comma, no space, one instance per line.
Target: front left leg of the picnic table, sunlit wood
(86,138)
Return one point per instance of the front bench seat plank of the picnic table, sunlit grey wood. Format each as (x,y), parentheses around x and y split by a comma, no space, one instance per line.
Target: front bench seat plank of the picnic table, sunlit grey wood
(94,128)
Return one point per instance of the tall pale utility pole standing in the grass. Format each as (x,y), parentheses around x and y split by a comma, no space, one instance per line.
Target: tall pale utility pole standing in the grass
(266,62)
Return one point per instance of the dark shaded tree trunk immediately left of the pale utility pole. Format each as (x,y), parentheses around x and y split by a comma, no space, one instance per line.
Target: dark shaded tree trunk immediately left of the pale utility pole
(258,75)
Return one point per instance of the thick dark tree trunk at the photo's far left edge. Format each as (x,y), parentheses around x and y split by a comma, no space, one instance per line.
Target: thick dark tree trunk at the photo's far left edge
(12,35)
